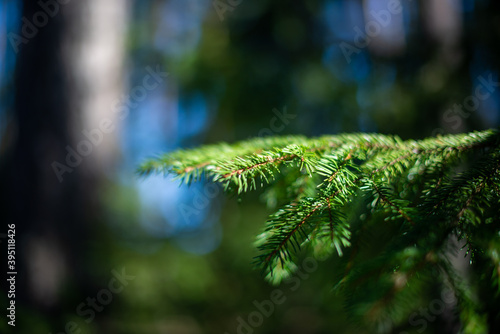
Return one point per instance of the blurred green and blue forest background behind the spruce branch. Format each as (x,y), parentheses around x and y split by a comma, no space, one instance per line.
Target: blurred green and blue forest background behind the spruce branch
(89,77)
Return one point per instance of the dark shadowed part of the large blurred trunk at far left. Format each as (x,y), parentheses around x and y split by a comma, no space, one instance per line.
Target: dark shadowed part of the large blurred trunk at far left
(52,213)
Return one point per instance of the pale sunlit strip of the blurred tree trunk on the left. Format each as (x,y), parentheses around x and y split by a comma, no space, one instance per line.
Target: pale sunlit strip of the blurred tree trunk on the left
(95,57)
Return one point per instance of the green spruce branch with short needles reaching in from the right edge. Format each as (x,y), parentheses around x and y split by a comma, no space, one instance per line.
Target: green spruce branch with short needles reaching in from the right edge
(390,214)
